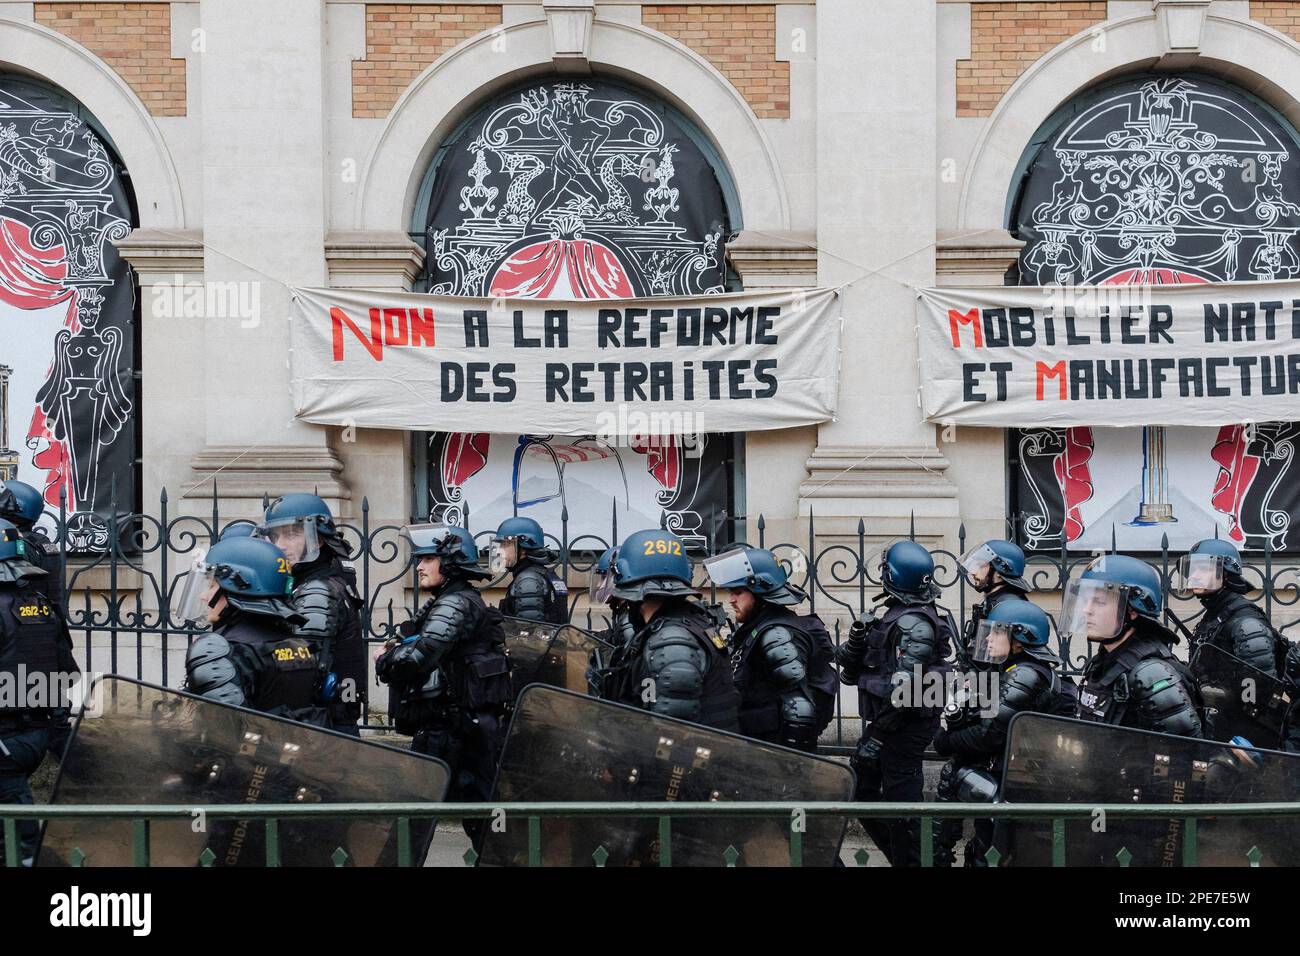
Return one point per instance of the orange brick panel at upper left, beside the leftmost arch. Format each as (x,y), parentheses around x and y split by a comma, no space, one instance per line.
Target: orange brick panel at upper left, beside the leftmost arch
(135,40)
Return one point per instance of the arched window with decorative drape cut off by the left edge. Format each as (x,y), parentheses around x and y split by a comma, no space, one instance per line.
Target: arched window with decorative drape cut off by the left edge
(68,310)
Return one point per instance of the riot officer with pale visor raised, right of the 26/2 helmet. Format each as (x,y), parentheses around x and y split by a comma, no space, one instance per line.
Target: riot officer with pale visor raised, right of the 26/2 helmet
(782,663)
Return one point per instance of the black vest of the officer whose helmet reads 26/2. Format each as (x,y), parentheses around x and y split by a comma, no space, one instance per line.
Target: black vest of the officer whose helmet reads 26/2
(718,700)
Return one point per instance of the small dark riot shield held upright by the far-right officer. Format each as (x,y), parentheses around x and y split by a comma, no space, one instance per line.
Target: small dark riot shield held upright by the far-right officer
(1240,700)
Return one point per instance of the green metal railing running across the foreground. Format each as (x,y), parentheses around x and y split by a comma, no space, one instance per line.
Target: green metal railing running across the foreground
(534,814)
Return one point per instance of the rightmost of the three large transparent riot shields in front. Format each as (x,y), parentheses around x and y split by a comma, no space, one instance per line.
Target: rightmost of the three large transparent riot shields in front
(1060,760)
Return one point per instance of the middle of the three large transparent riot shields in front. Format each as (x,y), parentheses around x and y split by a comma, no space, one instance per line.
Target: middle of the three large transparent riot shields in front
(565,747)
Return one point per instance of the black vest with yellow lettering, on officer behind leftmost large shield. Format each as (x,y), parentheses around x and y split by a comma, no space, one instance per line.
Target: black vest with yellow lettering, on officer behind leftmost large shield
(287,677)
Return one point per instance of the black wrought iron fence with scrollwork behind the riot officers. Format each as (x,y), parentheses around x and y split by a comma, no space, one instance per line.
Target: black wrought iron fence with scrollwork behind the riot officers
(119,595)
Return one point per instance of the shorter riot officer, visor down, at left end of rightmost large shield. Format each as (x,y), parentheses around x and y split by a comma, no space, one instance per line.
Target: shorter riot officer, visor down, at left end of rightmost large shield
(1011,643)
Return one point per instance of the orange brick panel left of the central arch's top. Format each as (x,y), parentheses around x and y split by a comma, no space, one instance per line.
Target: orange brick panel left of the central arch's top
(402,41)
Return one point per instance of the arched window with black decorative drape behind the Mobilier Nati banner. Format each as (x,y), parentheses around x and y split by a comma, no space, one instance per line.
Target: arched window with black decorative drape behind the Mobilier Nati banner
(1159,180)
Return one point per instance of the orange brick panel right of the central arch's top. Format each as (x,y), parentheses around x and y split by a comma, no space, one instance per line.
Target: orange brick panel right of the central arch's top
(740,41)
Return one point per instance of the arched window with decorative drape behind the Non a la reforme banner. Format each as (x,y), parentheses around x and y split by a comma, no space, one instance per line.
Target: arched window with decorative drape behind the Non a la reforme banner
(562,189)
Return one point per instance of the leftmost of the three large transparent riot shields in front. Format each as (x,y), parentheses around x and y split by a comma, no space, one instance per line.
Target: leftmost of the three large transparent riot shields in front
(153,746)
